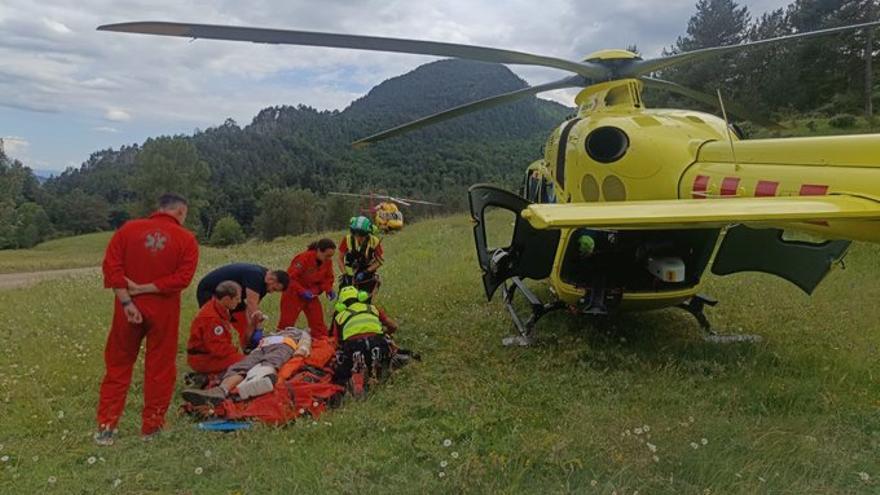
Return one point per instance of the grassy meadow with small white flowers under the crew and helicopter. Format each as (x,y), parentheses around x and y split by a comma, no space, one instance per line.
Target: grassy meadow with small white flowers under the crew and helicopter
(640,405)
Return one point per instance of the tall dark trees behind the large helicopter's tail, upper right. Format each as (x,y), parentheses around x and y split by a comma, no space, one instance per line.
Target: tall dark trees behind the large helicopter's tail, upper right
(824,77)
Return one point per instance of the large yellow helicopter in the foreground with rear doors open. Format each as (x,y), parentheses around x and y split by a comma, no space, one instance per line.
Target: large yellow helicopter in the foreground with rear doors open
(630,206)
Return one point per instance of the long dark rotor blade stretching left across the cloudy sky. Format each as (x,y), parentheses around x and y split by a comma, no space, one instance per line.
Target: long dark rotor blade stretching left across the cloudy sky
(357,42)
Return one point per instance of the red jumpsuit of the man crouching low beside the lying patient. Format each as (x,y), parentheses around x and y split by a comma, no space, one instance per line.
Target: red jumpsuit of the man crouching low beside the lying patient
(210,348)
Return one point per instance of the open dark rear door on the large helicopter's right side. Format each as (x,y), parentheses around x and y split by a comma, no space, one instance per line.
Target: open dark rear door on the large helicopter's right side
(804,264)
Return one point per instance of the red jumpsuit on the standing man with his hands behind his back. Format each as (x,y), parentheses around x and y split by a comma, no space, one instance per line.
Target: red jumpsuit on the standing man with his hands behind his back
(160,251)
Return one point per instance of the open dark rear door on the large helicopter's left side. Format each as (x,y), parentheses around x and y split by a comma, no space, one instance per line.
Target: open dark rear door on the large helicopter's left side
(531,252)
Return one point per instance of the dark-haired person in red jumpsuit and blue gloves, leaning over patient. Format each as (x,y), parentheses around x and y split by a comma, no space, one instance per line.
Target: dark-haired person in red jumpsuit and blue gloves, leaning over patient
(311,274)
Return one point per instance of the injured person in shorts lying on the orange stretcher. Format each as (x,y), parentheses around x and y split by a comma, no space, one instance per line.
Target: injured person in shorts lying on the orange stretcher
(257,373)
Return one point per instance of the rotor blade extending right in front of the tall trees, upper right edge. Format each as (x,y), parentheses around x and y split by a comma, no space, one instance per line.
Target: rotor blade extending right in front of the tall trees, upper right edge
(638,68)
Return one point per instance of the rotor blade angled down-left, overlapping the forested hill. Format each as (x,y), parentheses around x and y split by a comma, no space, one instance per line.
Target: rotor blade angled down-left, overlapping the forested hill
(474,106)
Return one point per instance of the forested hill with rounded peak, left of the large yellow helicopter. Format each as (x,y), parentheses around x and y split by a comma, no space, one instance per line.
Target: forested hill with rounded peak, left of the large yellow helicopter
(287,158)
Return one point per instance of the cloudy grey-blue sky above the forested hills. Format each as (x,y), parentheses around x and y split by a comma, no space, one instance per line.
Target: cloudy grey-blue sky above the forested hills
(67,90)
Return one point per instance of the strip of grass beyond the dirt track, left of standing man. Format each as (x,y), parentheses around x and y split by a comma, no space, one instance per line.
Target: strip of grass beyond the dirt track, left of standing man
(69,252)
